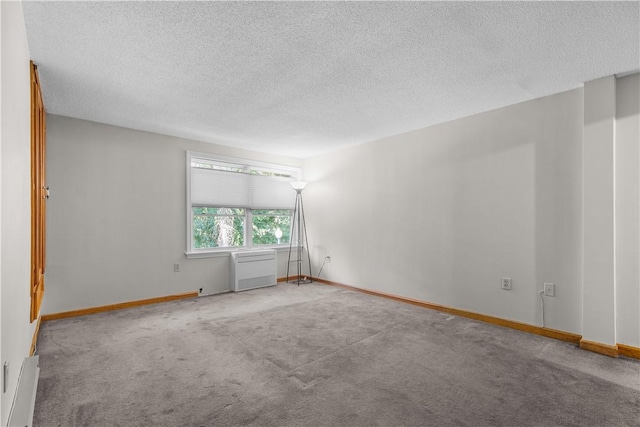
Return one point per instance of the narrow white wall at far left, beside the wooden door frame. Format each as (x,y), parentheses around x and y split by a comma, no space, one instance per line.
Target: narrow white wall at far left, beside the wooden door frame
(15,255)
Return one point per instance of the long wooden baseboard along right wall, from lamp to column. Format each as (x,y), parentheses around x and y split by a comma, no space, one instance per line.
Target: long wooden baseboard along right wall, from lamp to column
(537,330)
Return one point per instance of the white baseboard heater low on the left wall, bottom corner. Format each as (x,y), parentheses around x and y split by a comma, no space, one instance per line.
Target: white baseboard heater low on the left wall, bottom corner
(21,413)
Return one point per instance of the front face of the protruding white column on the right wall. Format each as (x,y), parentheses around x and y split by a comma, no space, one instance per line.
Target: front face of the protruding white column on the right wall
(599,293)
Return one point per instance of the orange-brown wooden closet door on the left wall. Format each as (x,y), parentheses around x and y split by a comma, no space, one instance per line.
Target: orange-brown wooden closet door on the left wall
(39,193)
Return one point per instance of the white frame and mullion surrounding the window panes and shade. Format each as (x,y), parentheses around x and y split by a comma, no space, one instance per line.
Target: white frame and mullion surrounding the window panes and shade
(235,162)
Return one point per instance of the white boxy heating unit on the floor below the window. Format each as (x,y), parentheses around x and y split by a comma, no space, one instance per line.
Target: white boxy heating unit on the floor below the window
(253,269)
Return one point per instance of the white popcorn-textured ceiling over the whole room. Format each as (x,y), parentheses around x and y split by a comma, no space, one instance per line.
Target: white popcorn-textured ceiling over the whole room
(299,78)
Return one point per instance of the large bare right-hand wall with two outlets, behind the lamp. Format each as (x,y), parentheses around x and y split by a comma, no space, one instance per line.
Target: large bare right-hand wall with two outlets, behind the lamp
(441,214)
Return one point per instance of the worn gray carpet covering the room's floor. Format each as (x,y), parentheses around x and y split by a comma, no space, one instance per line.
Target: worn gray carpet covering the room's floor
(317,355)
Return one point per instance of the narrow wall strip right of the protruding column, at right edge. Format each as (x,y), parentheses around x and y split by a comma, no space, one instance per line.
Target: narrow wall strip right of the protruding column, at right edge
(627,196)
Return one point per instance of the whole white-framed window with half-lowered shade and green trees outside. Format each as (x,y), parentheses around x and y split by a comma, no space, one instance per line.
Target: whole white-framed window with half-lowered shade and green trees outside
(235,203)
